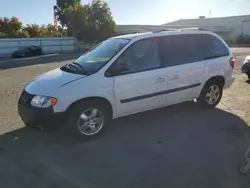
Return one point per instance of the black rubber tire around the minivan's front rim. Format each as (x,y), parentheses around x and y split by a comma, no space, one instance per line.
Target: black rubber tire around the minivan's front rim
(76,111)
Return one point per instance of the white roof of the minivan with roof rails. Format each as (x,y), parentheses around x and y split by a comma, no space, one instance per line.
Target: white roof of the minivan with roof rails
(163,33)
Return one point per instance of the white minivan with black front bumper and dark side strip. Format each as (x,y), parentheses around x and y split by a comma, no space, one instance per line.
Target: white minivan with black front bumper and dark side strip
(129,74)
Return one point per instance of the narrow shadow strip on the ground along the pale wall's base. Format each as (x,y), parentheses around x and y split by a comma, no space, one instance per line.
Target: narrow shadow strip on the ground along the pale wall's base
(15,63)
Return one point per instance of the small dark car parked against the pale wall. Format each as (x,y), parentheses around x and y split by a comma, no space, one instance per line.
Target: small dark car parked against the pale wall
(27,51)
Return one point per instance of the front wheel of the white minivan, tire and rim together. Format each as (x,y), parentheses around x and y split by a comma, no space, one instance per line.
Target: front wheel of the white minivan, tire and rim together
(89,119)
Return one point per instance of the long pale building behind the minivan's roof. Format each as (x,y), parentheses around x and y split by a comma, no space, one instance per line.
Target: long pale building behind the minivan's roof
(229,28)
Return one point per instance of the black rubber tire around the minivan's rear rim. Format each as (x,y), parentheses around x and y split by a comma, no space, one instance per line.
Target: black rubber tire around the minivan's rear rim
(203,100)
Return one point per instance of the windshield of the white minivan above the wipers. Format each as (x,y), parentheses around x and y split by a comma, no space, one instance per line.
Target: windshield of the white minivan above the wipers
(97,57)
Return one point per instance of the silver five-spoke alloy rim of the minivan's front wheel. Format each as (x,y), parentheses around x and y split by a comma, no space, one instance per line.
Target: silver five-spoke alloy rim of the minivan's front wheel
(90,121)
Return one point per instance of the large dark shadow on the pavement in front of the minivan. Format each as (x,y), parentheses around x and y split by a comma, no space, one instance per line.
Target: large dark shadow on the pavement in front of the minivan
(176,146)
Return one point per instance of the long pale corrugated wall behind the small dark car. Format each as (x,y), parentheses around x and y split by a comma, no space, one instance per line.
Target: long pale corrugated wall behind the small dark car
(49,45)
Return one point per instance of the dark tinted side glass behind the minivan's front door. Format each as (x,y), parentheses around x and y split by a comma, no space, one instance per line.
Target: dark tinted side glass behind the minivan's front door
(181,49)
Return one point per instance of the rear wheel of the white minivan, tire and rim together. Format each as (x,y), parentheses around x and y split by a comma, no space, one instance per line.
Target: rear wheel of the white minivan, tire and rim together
(210,95)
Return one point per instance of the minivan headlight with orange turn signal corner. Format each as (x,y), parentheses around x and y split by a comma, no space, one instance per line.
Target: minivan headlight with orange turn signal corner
(43,101)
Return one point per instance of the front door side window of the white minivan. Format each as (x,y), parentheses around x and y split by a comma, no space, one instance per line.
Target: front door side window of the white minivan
(141,55)
